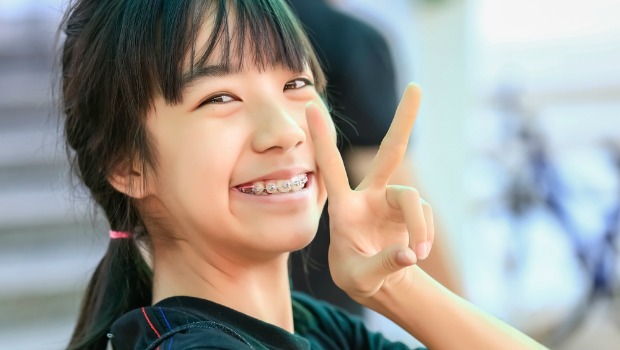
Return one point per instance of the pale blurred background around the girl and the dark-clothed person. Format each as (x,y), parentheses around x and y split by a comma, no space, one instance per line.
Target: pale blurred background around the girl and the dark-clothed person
(517,144)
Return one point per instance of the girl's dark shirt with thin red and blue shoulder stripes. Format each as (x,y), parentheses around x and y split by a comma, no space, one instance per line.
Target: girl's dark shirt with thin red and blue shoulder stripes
(193,323)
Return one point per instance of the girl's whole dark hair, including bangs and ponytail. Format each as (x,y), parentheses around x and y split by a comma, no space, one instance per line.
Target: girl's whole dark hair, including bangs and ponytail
(117,56)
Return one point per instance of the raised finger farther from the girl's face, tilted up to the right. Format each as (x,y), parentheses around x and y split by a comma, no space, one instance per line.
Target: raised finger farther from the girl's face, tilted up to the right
(394,145)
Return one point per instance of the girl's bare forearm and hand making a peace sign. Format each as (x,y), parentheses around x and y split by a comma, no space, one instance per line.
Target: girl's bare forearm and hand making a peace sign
(375,230)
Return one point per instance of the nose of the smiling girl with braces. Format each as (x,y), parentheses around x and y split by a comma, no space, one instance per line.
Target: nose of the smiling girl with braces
(277,129)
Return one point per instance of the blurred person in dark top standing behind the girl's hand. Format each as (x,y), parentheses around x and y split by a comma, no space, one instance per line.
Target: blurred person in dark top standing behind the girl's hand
(361,86)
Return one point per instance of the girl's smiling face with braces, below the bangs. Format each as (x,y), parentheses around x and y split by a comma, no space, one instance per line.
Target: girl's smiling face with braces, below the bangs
(236,131)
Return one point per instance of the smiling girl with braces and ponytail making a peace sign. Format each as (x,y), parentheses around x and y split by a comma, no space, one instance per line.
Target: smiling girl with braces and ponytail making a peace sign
(199,128)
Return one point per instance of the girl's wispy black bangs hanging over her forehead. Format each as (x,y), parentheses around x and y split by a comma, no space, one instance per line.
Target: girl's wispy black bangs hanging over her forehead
(262,33)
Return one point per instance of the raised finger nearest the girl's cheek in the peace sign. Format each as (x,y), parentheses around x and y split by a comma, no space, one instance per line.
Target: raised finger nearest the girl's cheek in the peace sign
(327,155)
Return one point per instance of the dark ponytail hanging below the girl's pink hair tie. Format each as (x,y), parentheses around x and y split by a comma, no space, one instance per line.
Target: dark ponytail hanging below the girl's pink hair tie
(122,282)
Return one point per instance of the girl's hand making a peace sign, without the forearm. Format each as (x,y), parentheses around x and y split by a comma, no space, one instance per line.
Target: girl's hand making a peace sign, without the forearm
(377,230)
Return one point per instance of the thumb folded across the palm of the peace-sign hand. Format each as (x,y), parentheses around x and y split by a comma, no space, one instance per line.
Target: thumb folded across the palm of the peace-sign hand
(390,260)
